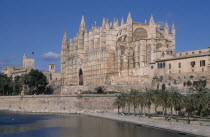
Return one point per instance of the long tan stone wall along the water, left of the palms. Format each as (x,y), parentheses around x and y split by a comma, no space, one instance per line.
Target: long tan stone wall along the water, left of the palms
(58,103)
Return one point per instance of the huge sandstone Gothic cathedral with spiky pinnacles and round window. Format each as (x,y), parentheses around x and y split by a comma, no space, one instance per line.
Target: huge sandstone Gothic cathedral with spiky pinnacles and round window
(115,54)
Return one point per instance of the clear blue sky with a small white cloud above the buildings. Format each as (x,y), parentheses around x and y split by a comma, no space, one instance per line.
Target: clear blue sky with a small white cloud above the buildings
(38,25)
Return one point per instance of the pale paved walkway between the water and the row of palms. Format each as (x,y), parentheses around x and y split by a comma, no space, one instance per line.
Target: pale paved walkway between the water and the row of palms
(175,126)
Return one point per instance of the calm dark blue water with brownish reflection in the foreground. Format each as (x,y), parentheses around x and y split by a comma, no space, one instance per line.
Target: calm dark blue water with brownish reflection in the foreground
(72,125)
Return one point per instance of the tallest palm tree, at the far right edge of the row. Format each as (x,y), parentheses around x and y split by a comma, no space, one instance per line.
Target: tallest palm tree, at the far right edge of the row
(201,97)
